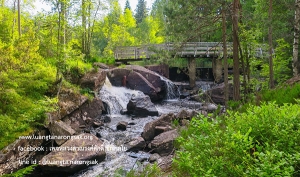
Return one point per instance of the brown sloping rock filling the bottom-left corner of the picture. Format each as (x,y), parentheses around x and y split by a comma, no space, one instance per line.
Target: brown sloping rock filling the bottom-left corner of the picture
(14,157)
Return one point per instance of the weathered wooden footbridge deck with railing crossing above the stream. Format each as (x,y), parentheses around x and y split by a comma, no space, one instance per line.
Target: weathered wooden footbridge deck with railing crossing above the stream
(186,50)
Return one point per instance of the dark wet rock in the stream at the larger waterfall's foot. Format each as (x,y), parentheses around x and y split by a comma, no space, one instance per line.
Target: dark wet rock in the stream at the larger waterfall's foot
(141,106)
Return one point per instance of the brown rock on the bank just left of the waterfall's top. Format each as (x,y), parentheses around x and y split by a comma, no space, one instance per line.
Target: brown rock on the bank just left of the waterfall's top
(93,80)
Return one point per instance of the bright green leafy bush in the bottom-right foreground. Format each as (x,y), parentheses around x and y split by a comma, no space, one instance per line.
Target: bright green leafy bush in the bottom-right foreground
(263,141)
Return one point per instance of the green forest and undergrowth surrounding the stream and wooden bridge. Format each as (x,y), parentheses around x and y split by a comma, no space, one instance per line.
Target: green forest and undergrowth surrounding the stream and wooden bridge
(259,133)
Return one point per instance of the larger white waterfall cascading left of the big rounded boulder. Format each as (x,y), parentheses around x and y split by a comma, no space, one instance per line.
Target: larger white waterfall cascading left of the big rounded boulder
(116,98)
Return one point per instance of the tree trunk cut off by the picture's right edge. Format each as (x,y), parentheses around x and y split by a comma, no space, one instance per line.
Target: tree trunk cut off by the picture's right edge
(296,65)
